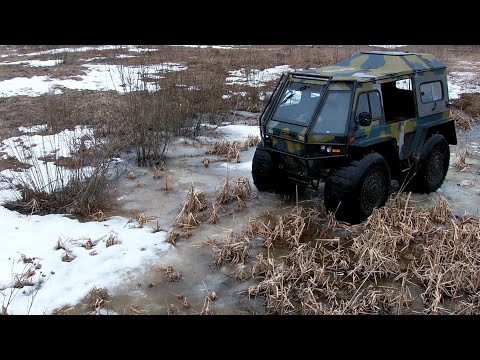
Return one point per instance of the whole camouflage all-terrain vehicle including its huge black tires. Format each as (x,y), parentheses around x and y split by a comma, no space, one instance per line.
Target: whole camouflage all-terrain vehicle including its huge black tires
(369,119)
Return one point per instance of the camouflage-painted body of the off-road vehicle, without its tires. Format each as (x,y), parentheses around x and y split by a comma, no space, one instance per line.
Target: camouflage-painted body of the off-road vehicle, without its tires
(383,102)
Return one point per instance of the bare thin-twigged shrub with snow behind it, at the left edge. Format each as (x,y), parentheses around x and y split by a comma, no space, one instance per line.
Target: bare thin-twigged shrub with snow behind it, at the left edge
(82,190)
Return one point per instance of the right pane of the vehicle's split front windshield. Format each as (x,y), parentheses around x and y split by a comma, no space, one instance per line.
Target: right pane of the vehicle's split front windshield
(334,114)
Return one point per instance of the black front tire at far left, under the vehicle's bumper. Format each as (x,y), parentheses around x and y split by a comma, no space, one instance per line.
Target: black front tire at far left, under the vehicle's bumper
(267,178)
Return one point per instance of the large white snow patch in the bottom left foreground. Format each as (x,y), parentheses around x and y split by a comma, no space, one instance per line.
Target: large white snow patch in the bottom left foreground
(66,283)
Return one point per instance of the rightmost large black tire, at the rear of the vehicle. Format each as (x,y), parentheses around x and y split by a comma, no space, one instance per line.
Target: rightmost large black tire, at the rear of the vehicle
(433,165)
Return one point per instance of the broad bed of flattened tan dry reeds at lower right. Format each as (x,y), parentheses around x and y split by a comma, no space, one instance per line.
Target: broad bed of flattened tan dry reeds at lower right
(372,268)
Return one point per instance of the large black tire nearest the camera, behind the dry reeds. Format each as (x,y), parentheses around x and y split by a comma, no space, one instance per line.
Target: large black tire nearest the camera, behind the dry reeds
(354,190)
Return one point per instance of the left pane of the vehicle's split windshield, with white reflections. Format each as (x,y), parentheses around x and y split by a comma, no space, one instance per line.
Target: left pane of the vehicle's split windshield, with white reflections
(298,103)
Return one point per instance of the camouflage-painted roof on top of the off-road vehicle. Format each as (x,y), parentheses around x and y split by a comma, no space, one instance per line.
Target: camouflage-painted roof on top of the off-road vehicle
(369,65)
